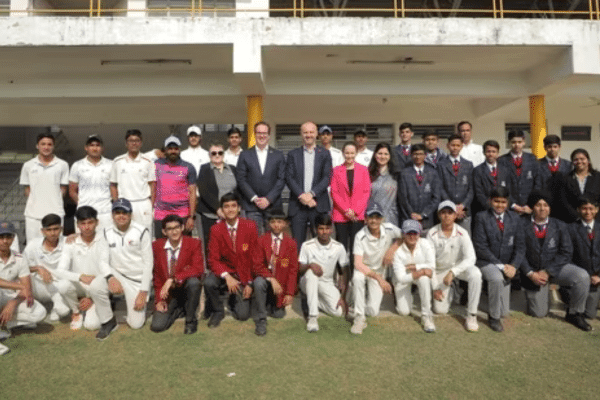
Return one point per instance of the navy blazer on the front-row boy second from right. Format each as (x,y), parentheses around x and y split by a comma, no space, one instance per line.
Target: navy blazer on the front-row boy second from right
(555,251)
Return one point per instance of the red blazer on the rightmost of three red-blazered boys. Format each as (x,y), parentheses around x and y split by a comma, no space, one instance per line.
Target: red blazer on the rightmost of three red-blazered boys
(286,266)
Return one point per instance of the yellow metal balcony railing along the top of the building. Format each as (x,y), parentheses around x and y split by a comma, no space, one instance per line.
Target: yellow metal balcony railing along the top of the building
(576,9)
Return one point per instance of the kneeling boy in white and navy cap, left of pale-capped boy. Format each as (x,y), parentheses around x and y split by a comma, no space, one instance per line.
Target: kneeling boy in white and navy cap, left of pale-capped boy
(371,257)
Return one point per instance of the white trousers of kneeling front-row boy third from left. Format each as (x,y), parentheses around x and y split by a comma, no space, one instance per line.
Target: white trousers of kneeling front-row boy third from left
(101,312)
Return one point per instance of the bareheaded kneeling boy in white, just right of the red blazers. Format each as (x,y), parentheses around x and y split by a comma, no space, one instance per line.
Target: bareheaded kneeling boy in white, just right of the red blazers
(318,260)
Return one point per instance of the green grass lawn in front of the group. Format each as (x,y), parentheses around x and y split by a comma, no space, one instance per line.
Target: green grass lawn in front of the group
(393,358)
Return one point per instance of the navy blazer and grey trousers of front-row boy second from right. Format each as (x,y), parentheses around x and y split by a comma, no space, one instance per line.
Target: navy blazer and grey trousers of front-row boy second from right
(549,248)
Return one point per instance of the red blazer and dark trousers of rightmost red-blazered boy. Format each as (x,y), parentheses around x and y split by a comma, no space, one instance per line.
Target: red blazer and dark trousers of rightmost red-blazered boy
(275,257)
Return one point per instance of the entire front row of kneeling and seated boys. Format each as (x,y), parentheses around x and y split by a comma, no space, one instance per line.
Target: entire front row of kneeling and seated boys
(78,277)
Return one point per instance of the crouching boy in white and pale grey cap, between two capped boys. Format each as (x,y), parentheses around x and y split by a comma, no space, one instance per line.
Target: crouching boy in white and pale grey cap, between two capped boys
(414,262)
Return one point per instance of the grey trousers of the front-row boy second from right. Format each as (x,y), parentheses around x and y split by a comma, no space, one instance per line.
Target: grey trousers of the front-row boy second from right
(577,282)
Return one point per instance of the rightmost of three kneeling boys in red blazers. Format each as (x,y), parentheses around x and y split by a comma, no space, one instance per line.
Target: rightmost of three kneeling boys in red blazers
(276,271)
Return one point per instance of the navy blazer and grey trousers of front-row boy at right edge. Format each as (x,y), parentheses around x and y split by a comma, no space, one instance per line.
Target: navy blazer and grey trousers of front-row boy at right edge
(586,254)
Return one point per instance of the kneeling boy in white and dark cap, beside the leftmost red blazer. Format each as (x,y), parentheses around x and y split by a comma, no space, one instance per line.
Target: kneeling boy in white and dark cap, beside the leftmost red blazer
(131,262)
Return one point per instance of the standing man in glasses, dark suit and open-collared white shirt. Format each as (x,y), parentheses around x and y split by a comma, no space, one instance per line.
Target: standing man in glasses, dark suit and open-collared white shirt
(261,177)
